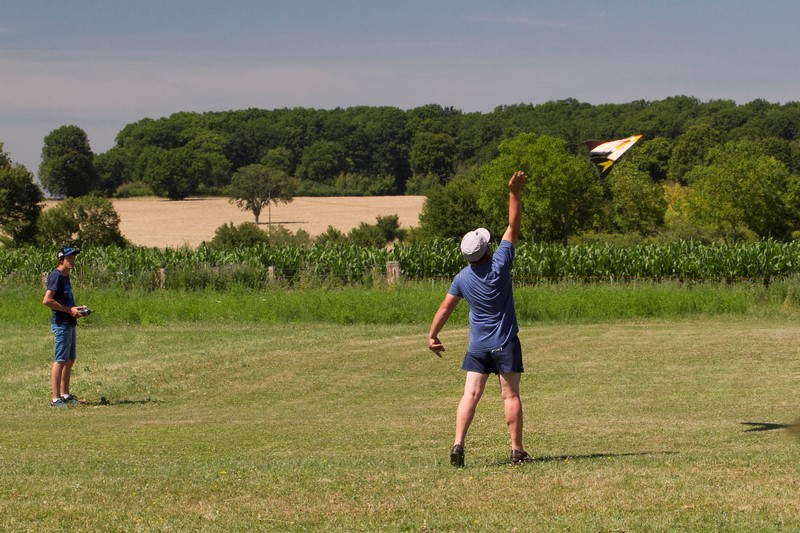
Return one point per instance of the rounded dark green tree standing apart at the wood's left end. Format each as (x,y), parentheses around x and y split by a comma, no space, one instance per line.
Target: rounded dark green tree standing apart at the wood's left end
(67,168)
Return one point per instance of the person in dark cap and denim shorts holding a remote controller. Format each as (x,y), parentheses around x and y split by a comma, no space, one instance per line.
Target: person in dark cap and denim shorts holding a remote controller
(58,297)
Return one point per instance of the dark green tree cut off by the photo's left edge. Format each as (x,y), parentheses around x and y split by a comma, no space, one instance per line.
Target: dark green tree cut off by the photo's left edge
(20,202)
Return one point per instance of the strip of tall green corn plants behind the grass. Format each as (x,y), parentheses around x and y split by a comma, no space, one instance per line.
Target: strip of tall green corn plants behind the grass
(152,268)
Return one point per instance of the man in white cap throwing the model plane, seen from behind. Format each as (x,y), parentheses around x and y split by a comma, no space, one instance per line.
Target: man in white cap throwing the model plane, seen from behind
(494,347)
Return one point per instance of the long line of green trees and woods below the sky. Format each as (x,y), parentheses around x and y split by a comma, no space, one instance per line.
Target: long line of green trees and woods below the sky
(703,169)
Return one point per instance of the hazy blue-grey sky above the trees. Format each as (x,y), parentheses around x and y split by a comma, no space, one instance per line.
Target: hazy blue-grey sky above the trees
(102,64)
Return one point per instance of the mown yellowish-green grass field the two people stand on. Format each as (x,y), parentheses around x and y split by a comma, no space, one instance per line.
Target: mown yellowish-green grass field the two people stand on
(220,424)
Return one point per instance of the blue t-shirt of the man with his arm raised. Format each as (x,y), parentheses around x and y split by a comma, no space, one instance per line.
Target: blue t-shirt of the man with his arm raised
(487,290)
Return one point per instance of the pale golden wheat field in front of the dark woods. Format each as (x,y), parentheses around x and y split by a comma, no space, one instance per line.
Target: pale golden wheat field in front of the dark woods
(170,224)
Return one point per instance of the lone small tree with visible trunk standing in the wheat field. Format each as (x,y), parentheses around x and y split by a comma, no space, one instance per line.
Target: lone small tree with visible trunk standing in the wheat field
(255,186)
